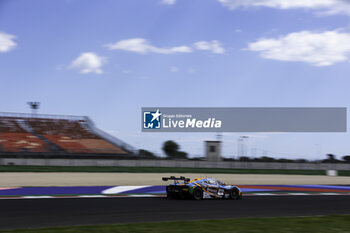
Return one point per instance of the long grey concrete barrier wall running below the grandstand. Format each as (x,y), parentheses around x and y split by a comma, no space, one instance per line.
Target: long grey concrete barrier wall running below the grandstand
(172,163)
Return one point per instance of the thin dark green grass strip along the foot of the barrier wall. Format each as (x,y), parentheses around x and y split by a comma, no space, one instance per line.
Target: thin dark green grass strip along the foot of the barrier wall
(15,168)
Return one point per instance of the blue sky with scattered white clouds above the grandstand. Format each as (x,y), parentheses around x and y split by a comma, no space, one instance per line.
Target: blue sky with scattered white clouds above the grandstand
(106,59)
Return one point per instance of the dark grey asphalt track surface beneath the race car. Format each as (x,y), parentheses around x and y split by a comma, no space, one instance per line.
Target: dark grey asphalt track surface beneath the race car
(32,213)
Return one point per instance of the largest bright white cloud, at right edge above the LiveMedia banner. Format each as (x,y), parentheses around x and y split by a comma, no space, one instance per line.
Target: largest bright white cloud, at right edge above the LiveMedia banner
(319,49)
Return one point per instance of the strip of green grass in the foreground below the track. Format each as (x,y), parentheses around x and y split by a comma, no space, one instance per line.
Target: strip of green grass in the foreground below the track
(319,224)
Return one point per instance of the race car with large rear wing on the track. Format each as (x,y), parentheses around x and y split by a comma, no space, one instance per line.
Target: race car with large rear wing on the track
(201,188)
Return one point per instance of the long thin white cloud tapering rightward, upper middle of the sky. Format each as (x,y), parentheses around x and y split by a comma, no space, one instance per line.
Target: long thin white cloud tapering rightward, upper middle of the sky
(143,46)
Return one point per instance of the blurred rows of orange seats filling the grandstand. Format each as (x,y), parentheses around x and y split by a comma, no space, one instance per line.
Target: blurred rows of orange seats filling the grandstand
(69,135)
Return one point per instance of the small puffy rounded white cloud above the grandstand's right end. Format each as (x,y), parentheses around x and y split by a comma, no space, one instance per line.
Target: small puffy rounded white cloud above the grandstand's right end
(88,63)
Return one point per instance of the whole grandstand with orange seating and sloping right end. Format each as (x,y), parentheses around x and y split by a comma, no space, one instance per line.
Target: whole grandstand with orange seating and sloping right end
(27,134)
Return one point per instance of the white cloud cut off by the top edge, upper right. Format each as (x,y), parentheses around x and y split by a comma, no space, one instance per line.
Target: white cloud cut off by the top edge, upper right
(321,6)
